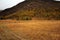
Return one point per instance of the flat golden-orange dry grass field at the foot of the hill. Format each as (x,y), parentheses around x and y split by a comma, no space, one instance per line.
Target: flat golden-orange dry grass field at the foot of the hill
(30,30)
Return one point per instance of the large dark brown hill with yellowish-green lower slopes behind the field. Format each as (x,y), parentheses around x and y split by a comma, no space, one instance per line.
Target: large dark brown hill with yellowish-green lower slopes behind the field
(33,9)
